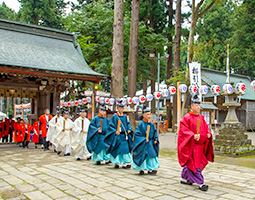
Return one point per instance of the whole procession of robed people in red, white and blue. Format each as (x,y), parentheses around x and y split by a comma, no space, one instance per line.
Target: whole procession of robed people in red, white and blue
(114,141)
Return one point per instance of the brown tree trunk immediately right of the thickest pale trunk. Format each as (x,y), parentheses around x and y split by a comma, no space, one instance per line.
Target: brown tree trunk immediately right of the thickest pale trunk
(132,58)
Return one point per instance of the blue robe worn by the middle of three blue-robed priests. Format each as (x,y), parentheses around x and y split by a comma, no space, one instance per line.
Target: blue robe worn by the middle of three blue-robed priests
(118,144)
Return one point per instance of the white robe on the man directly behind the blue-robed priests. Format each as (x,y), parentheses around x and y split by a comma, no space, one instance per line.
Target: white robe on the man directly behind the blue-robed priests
(79,140)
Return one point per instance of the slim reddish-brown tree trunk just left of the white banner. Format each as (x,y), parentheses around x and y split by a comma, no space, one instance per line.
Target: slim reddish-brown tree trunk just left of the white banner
(177,57)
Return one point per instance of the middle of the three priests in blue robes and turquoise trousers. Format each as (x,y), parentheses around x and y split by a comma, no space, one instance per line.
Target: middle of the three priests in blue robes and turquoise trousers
(119,138)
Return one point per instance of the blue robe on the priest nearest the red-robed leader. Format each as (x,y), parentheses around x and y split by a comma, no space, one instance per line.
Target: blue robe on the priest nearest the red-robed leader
(145,154)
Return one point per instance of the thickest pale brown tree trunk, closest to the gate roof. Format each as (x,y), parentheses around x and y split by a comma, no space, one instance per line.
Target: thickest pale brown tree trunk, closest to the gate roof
(117,51)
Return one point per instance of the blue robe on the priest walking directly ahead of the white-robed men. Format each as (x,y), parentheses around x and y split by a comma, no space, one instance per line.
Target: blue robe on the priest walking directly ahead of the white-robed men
(95,140)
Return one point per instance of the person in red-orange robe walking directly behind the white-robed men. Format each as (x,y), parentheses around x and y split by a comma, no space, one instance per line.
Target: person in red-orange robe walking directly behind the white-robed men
(43,127)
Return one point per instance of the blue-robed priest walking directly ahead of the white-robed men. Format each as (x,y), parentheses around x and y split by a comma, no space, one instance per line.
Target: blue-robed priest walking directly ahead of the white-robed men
(96,135)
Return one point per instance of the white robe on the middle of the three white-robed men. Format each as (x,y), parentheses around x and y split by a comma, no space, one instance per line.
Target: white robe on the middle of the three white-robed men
(64,138)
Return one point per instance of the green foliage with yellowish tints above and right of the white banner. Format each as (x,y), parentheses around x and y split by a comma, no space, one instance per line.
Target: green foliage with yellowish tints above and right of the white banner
(214,32)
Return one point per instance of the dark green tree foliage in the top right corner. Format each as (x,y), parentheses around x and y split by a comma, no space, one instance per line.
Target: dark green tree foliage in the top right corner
(242,46)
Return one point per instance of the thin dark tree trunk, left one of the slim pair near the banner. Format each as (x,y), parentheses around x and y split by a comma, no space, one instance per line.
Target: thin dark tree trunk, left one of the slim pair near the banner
(170,60)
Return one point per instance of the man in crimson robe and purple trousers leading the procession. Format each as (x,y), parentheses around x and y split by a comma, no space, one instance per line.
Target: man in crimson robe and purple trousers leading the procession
(195,147)
